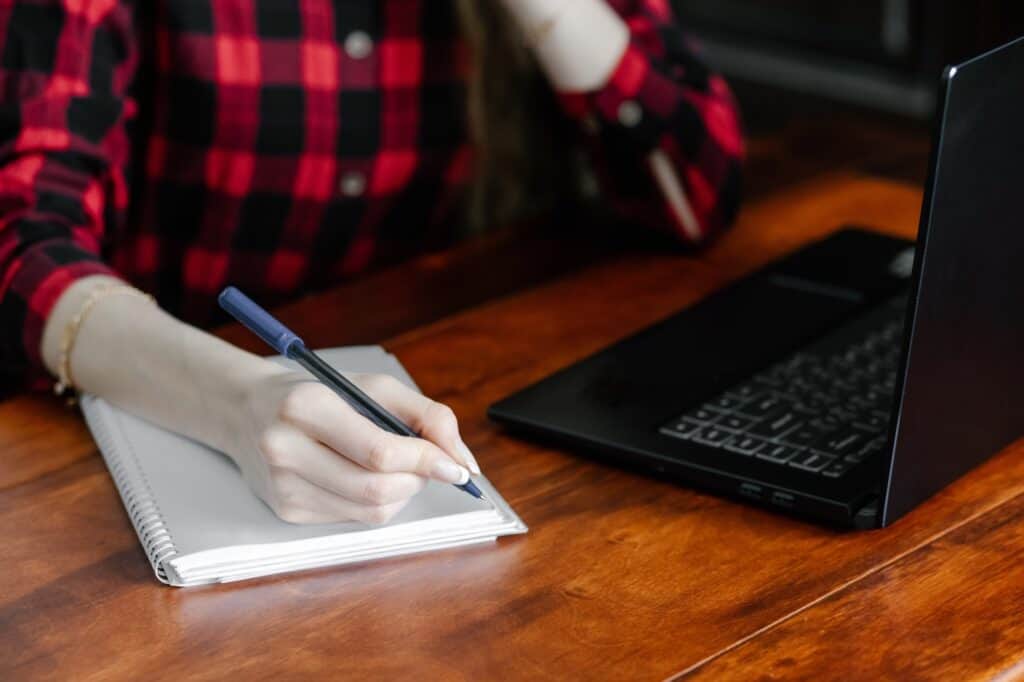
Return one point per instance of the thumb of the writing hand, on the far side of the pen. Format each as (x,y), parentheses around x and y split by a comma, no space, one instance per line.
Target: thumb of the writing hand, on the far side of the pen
(431,419)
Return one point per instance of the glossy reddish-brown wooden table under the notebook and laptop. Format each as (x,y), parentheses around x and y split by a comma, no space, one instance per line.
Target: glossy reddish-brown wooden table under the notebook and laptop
(621,577)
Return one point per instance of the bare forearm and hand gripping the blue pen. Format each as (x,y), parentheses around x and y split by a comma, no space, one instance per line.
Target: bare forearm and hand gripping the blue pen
(303,450)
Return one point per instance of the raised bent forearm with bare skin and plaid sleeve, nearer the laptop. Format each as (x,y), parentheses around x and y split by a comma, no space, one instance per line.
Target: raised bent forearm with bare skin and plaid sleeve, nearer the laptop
(626,71)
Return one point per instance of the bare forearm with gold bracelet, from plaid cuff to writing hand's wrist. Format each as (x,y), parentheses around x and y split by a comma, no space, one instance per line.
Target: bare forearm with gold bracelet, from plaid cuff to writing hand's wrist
(131,353)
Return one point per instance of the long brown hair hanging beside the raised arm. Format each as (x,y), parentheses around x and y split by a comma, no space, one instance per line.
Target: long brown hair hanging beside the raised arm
(523,160)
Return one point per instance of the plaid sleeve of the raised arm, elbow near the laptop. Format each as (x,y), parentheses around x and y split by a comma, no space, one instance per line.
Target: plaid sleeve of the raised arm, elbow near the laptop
(665,133)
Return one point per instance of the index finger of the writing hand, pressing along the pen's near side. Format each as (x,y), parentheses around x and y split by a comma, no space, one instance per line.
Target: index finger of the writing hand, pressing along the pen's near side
(320,413)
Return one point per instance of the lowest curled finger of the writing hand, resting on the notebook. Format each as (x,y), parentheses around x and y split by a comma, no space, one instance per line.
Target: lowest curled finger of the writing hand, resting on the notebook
(297,501)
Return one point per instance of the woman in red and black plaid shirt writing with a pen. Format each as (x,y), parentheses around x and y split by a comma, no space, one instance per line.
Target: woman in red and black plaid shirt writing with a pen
(282,147)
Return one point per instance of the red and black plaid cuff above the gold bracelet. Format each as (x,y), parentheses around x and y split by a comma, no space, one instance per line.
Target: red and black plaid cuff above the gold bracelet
(29,291)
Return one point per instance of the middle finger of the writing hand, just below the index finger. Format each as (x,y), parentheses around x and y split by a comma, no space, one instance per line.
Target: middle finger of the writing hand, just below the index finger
(289,449)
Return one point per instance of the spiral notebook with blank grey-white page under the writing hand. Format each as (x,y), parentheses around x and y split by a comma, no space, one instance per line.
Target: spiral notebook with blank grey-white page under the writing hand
(199,523)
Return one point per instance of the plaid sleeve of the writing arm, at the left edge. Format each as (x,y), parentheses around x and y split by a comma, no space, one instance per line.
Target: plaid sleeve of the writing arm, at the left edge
(65,66)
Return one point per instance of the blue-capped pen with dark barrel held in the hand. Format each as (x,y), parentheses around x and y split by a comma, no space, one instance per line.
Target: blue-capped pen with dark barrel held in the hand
(286,343)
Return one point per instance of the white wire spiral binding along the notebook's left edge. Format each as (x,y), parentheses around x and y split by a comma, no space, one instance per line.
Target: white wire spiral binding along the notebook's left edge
(134,488)
